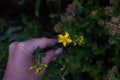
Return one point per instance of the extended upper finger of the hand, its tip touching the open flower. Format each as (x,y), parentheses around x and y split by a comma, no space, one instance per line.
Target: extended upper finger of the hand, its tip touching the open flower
(42,43)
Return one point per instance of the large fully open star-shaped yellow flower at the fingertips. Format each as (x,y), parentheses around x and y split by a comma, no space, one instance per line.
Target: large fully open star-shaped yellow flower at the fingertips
(64,39)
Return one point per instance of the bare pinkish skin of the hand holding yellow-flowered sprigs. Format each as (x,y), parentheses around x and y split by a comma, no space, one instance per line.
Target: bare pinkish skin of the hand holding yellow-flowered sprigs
(20,58)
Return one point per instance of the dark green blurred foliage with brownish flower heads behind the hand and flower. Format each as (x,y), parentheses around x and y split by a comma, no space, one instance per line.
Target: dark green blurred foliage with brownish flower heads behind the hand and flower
(97,20)
